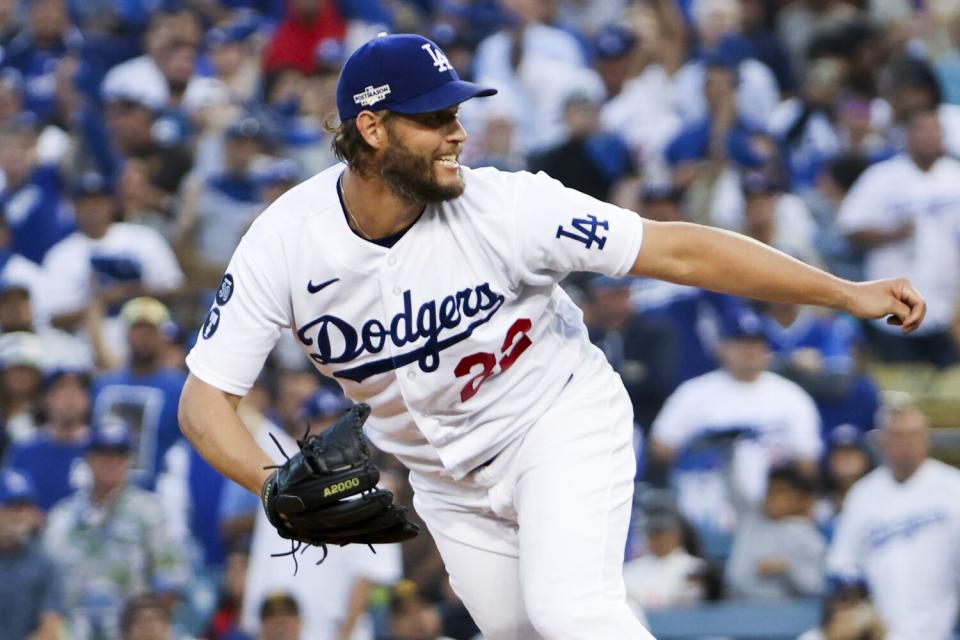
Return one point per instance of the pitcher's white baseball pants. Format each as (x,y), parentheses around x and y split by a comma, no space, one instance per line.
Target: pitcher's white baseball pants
(534,541)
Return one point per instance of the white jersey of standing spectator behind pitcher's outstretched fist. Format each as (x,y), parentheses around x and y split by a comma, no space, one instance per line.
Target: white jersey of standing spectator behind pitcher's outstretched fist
(895,192)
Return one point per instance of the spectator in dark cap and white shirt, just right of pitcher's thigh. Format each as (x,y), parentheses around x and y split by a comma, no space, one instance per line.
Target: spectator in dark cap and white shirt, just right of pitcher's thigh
(666,575)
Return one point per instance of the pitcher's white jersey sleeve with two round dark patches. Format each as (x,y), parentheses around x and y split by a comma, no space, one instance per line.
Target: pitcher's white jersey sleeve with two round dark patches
(242,328)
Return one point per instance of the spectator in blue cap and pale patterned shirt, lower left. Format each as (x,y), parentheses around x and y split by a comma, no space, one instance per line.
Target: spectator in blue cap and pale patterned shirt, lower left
(111,540)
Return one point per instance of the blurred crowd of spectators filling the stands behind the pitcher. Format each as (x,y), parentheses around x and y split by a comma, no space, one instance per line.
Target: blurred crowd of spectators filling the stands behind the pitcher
(139,138)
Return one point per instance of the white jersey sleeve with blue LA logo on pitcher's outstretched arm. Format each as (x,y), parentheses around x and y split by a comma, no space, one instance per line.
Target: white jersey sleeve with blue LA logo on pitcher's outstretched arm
(559,230)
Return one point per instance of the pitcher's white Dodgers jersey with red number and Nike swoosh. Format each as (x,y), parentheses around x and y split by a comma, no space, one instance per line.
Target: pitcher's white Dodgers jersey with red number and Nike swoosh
(457,336)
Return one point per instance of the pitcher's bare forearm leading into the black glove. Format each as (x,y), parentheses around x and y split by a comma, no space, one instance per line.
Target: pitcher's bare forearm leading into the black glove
(209,420)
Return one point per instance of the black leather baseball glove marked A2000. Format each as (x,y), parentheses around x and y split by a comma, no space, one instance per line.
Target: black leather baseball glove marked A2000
(327,493)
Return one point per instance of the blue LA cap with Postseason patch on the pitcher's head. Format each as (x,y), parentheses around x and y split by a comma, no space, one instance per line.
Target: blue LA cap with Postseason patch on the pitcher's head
(403,73)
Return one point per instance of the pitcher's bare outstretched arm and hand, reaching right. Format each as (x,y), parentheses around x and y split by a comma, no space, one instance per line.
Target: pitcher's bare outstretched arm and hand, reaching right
(728,262)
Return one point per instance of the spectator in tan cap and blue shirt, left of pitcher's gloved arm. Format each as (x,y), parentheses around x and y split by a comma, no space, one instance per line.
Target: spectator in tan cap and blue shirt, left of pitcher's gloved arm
(144,394)
